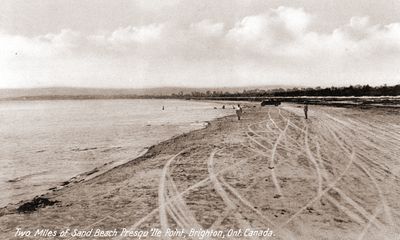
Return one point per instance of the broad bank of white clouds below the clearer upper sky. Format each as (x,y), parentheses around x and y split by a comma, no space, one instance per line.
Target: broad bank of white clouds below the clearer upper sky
(257,49)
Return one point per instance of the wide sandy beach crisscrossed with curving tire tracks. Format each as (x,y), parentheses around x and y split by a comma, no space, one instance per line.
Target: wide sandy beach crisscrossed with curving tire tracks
(333,176)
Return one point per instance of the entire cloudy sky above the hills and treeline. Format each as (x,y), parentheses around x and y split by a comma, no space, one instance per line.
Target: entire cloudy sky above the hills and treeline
(198,43)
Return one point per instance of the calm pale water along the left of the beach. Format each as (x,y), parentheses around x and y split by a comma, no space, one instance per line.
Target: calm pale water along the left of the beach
(44,143)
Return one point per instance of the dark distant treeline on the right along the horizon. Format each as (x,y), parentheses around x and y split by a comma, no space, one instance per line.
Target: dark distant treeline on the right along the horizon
(357,91)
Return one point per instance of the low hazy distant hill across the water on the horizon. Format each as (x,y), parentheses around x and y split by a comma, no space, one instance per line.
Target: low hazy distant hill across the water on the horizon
(74,93)
